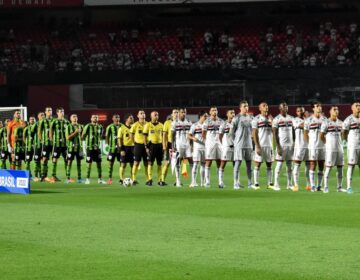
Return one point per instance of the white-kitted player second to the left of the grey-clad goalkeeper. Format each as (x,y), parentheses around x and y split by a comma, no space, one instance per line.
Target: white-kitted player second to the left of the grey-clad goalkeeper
(210,135)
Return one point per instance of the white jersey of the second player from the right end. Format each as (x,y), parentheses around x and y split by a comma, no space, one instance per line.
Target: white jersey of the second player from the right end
(333,130)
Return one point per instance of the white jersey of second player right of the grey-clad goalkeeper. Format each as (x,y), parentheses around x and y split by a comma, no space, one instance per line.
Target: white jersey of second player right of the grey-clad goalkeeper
(285,129)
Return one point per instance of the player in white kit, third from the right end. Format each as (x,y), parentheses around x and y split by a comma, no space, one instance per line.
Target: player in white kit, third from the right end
(316,146)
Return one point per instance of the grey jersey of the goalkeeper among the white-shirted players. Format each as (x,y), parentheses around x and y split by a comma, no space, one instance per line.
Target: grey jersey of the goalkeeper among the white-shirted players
(242,131)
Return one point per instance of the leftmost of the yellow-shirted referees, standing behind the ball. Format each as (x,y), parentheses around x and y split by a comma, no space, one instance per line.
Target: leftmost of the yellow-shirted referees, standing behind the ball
(126,146)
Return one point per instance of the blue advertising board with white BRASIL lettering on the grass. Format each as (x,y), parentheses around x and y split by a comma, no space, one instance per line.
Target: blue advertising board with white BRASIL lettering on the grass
(14,181)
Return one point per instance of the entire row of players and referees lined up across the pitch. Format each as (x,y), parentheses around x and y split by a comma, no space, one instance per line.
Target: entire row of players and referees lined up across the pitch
(315,140)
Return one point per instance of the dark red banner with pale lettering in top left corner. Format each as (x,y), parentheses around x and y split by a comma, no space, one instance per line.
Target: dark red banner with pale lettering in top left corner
(41,3)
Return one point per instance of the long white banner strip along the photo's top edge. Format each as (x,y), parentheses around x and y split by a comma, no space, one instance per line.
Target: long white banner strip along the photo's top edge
(160,2)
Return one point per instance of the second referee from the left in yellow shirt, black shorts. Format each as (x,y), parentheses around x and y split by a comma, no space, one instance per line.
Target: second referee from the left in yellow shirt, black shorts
(137,137)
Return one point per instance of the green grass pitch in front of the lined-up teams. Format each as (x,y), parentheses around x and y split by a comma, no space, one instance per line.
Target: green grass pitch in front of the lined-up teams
(111,232)
